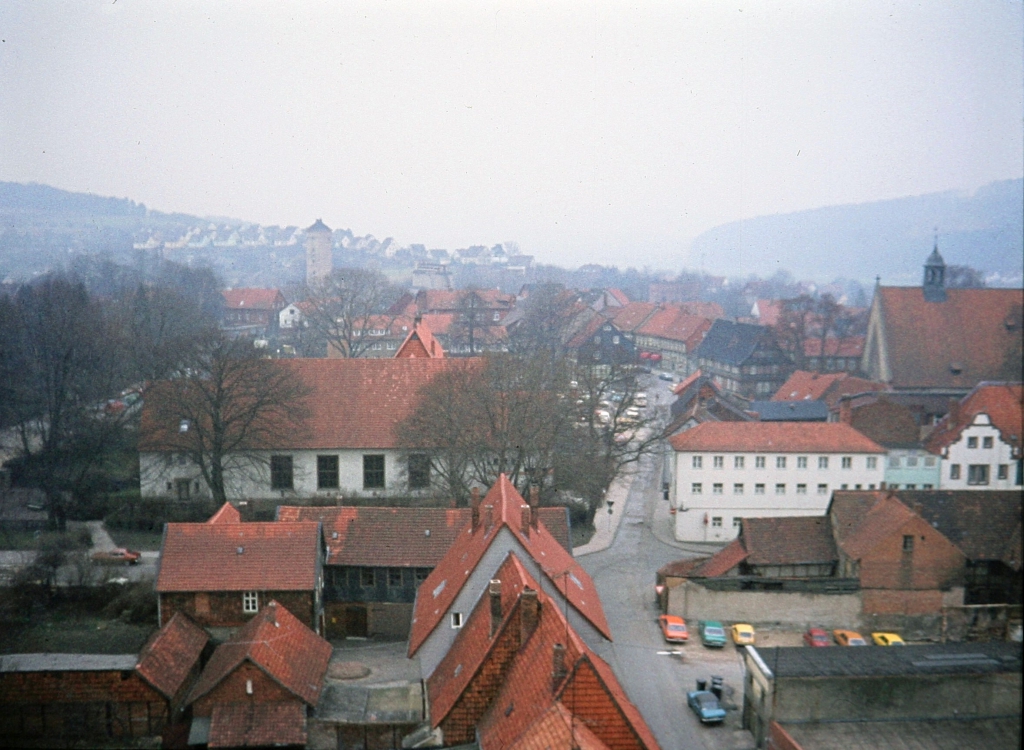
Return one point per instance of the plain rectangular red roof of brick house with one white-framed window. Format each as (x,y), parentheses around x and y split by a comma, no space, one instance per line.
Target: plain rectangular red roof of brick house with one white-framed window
(275,557)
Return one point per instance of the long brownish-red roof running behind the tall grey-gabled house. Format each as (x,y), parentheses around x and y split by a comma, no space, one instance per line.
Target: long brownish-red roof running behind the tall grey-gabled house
(400,537)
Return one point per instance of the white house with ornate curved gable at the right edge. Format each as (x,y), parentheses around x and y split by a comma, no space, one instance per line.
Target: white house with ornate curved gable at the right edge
(979,440)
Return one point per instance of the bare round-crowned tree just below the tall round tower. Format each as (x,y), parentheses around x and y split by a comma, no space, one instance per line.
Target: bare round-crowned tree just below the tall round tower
(346,307)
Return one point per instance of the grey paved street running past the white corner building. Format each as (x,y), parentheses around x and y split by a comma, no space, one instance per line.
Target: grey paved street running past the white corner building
(629,548)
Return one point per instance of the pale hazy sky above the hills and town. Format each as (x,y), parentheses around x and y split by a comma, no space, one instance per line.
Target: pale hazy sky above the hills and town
(585,132)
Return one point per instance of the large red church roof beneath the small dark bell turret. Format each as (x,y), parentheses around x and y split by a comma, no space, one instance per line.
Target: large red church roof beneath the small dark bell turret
(969,330)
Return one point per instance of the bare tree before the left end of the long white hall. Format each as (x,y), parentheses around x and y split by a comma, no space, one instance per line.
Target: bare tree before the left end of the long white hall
(225,411)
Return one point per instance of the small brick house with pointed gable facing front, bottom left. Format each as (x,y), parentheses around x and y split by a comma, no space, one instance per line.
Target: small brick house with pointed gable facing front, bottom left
(261,685)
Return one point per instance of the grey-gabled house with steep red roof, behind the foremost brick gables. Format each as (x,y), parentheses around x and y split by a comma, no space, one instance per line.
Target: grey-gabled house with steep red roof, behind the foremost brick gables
(502,523)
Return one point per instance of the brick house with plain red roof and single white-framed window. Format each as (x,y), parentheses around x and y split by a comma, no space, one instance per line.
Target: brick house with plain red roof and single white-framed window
(224,572)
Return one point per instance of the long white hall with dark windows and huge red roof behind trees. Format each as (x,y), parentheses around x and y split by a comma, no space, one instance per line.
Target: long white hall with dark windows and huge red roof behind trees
(349,446)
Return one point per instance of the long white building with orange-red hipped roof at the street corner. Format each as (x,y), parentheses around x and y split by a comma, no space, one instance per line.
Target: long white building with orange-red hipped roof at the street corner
(724,472)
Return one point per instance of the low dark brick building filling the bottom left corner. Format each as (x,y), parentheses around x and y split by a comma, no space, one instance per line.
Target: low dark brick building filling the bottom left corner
(68,698)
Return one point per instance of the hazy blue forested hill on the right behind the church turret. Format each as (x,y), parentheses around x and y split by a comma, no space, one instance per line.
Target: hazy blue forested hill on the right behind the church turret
(890,239)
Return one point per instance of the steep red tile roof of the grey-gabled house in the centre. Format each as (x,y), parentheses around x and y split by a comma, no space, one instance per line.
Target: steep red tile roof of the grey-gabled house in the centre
(504,506)
